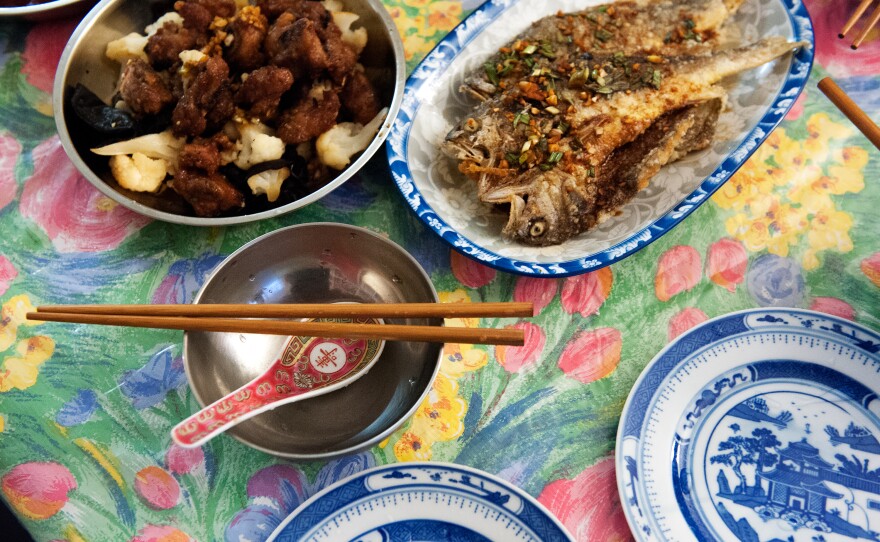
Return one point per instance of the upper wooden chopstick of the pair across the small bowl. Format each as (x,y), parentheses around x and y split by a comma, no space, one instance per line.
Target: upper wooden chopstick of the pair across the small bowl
(307,310)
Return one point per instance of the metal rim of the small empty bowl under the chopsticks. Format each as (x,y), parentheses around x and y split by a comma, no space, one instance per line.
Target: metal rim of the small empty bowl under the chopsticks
(351,449)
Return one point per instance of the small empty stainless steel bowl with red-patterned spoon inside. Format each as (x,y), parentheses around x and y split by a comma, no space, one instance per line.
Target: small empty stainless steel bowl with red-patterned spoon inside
(316,263)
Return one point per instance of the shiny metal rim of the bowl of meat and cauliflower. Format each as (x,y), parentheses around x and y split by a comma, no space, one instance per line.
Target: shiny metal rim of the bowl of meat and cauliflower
(61,73)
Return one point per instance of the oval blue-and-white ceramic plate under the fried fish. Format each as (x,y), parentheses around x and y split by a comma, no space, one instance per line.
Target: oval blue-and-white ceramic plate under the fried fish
(448,204)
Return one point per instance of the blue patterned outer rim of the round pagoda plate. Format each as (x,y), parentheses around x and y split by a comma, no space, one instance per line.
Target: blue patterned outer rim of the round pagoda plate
(708,334)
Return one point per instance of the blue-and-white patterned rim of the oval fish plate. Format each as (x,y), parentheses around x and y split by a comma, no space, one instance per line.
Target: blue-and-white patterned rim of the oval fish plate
(454,44)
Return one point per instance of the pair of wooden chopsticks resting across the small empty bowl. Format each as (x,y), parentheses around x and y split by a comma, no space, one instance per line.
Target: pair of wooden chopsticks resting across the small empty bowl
(259,319)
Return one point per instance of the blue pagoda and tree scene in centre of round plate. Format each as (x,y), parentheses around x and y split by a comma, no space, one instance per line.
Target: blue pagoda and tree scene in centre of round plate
(764,470)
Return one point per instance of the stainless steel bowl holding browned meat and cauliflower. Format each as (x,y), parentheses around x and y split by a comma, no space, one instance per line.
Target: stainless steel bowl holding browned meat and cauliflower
(83,61)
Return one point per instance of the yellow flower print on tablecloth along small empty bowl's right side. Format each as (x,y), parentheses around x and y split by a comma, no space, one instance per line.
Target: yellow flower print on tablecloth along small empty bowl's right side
(440,417)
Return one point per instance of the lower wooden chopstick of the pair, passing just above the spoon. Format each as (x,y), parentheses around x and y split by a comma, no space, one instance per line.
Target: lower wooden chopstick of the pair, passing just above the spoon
(330,330)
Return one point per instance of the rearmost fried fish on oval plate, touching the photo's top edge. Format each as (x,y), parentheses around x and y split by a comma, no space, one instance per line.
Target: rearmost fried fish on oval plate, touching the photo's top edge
(671,27)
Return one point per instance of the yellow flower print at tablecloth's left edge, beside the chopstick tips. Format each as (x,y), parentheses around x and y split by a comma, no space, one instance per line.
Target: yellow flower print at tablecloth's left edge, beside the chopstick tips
(20,370)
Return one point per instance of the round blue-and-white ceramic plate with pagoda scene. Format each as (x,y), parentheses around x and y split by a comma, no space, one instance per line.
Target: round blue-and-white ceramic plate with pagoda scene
(760,425)
